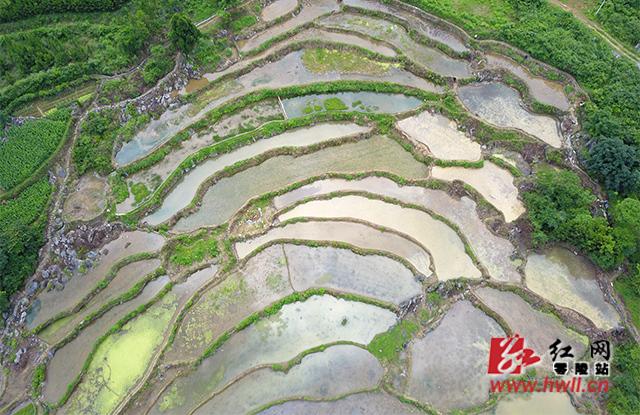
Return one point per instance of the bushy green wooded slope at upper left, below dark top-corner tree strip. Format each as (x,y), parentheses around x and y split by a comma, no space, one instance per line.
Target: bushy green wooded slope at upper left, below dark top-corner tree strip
(45,60)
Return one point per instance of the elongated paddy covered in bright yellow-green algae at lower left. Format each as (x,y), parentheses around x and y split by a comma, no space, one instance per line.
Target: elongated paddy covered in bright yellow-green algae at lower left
(121,360)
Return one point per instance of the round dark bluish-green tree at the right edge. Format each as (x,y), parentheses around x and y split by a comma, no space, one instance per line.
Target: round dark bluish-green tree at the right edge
(615,164)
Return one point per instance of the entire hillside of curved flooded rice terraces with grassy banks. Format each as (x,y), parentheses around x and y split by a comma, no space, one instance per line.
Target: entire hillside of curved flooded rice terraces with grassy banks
(328,226)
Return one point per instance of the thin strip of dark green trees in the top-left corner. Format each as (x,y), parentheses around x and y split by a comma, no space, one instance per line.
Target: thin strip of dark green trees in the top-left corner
(11,10)
